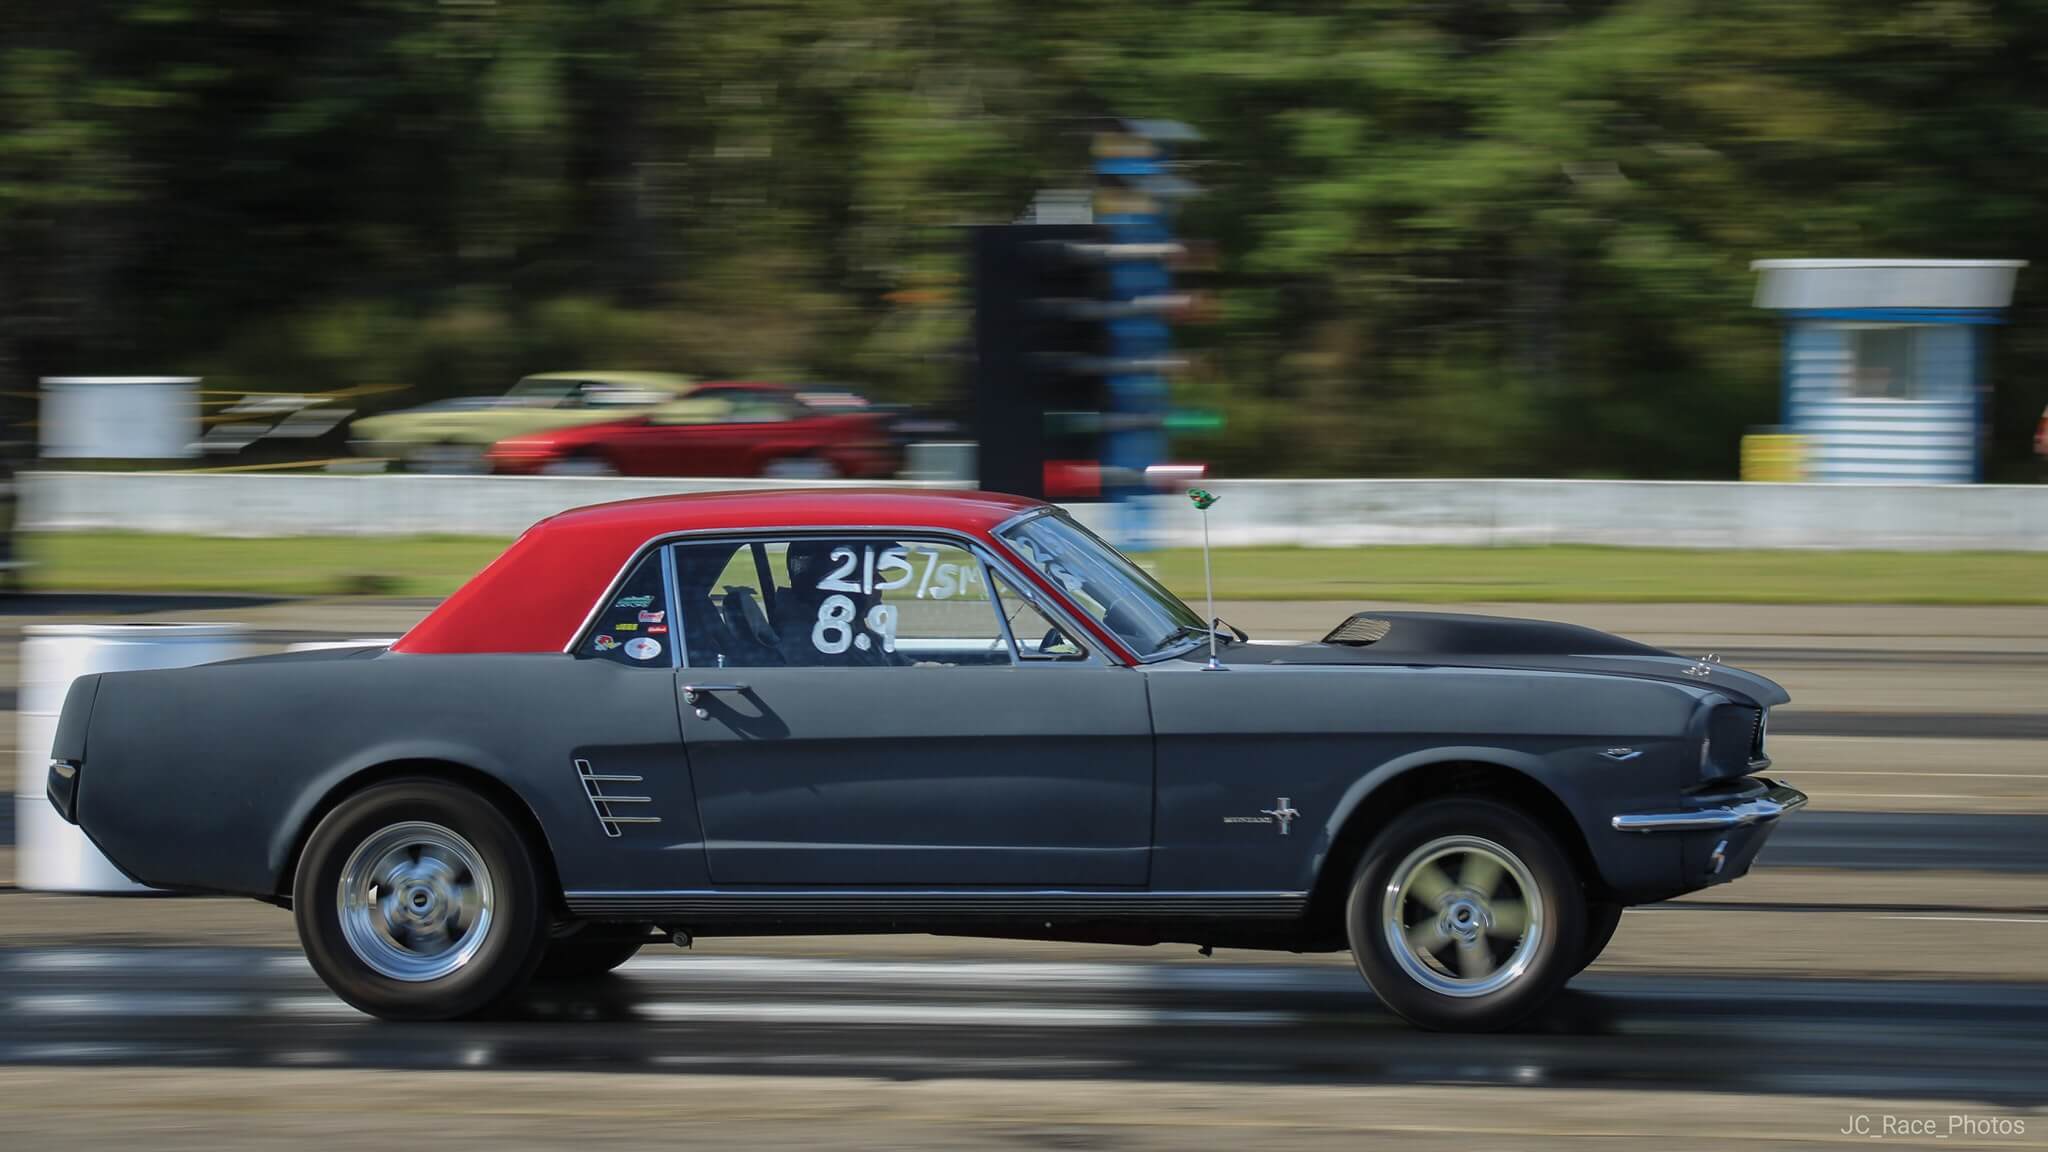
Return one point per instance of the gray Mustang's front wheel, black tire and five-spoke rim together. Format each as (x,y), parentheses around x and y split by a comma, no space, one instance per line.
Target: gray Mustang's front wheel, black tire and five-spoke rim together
(1465,915)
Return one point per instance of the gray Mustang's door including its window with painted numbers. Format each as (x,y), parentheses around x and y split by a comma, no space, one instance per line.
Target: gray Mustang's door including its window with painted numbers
(857,714)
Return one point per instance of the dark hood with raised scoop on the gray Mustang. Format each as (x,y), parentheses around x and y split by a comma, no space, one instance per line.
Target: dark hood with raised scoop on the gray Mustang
(1504,643)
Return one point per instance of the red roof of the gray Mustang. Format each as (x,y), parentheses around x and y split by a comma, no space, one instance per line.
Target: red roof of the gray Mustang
(540,591)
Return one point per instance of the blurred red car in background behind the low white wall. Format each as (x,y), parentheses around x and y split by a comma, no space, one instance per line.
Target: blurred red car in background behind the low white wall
(722,429)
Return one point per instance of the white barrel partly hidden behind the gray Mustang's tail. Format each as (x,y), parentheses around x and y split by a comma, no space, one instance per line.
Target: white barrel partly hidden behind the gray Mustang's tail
(52,856)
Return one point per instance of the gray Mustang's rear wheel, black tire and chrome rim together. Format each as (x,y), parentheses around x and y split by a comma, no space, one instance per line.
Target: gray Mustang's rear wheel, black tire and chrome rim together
(419,901)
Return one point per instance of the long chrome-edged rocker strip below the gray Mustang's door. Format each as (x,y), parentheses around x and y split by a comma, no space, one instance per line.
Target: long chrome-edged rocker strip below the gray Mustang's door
(935,905)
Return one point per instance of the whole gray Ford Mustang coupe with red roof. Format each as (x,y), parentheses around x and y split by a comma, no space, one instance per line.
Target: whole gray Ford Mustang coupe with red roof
(921,712)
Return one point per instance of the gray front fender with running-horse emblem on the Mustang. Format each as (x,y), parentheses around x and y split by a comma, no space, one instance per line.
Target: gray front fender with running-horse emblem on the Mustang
(1328,741)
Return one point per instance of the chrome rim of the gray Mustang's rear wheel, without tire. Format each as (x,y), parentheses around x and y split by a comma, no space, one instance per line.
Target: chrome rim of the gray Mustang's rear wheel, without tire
(415,901)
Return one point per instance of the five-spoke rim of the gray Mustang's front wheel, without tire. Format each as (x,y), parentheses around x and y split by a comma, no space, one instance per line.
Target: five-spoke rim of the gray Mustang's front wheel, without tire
(1463,917)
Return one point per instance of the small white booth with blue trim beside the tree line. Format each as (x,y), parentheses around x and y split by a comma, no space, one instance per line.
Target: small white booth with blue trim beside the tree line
(1885,364)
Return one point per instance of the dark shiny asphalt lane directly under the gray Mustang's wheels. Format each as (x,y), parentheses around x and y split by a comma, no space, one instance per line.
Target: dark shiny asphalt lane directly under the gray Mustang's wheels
(673,1012)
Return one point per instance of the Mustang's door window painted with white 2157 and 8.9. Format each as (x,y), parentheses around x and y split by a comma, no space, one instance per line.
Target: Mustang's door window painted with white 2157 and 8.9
(837,604)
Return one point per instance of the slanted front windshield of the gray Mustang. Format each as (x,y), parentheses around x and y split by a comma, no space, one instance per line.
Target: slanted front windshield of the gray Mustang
(1111,589)
